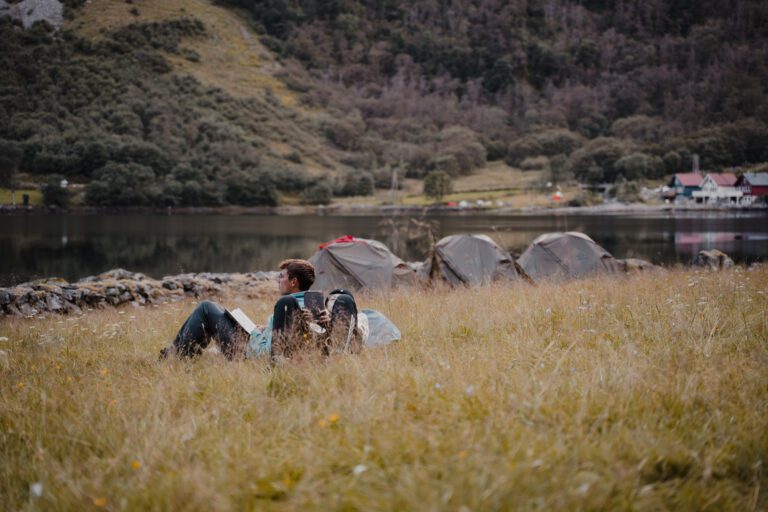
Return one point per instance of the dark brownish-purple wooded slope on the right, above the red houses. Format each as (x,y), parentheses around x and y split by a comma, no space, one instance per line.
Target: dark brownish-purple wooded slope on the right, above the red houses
(635,87)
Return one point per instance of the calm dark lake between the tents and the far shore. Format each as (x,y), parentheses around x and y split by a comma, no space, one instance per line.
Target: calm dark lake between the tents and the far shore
(75,246)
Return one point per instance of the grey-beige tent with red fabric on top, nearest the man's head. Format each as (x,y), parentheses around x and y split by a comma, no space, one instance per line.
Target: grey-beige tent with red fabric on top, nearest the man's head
(357,263)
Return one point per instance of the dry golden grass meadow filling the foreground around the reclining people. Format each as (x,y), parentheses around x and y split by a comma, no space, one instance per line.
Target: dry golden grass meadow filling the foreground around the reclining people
(630,393)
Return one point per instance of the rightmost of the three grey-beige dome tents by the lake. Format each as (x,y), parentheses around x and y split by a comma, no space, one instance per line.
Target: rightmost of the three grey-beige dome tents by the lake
(566,255)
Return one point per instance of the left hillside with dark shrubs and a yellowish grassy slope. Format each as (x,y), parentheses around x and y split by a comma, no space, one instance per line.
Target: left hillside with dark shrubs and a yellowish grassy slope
(159,108)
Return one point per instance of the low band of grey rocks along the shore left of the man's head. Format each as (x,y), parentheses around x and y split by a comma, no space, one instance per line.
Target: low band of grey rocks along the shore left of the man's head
(118,287)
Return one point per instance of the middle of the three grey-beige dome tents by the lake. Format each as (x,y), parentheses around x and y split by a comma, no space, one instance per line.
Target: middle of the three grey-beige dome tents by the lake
(469,259)
